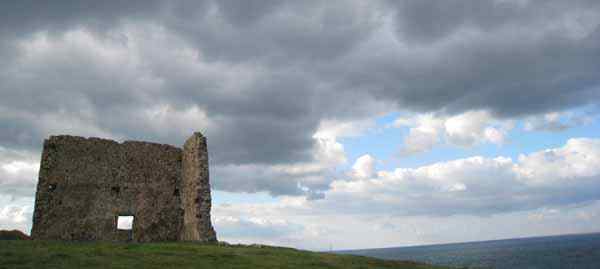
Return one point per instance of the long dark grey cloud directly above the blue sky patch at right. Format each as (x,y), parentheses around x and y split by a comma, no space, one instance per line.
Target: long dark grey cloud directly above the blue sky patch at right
(534,77)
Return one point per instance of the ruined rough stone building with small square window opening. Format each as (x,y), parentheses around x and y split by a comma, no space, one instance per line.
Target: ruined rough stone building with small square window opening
(85,184)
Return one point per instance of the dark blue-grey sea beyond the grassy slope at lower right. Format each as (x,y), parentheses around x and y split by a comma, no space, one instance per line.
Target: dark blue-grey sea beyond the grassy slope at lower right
(580,251)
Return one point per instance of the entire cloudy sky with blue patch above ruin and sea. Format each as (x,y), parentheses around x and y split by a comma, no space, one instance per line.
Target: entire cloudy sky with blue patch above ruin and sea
(330,124)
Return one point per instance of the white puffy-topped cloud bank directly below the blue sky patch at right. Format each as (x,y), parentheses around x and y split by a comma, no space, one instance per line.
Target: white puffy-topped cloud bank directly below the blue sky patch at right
(478,185)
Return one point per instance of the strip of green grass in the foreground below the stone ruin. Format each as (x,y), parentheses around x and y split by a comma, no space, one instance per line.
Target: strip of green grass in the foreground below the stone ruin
(54,254)
